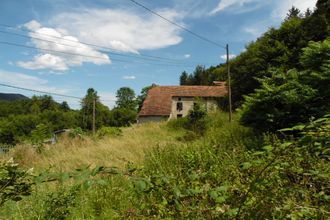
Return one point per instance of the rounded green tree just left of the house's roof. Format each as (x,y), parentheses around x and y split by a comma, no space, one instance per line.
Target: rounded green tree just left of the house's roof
(126,98)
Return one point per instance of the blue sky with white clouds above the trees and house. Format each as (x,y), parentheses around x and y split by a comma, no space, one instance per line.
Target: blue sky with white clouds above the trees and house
(66,47)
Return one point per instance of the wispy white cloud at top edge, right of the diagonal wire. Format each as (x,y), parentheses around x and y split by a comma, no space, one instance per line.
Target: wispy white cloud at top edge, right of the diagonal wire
(237,6)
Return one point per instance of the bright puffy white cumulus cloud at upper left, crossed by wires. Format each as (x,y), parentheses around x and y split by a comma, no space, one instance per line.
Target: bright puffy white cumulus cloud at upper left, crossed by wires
(61,50)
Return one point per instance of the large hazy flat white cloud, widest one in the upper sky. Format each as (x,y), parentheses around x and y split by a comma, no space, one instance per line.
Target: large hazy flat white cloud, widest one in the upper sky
(123,30)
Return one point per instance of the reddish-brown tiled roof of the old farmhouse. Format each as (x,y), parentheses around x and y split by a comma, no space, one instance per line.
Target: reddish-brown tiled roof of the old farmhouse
(159,98)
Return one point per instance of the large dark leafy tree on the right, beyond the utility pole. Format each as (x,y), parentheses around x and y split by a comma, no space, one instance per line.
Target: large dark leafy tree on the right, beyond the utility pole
(288,98)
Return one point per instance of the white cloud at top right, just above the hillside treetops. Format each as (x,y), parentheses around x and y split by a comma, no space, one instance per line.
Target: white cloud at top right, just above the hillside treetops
(283,7)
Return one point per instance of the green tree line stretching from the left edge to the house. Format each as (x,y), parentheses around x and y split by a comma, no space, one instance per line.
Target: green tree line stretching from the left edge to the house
(21,119)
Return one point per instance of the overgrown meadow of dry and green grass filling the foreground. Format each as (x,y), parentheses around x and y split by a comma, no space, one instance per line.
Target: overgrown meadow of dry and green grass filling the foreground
(164,170)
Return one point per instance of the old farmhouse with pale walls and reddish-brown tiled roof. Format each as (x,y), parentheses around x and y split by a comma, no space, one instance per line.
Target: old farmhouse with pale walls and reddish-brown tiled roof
(167,102)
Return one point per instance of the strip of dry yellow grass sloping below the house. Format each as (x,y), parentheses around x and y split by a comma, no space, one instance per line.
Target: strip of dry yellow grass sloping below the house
(70,154)
